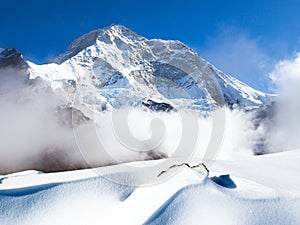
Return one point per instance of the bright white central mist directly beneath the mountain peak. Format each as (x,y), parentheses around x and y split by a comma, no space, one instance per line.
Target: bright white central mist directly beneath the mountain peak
(153,135)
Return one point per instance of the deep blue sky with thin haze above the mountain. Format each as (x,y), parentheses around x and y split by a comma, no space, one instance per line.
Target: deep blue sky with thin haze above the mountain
(242,38)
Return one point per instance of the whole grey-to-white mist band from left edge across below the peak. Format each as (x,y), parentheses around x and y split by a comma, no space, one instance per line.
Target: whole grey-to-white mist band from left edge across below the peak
(35,134)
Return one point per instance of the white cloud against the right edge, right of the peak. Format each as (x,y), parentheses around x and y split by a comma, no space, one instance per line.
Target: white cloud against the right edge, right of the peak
(285,131)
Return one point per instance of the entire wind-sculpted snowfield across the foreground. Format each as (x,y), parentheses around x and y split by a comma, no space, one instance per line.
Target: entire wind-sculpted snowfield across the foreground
(263,190)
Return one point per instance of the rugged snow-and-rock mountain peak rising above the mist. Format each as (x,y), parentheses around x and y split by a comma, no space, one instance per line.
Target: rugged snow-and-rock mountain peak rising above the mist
(113,67)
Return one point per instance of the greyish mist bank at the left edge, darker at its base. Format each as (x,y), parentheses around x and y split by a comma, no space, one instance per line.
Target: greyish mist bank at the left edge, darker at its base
(32,136)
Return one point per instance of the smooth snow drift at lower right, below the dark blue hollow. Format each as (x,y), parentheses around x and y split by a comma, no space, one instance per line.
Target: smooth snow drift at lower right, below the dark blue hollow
(209,203)
